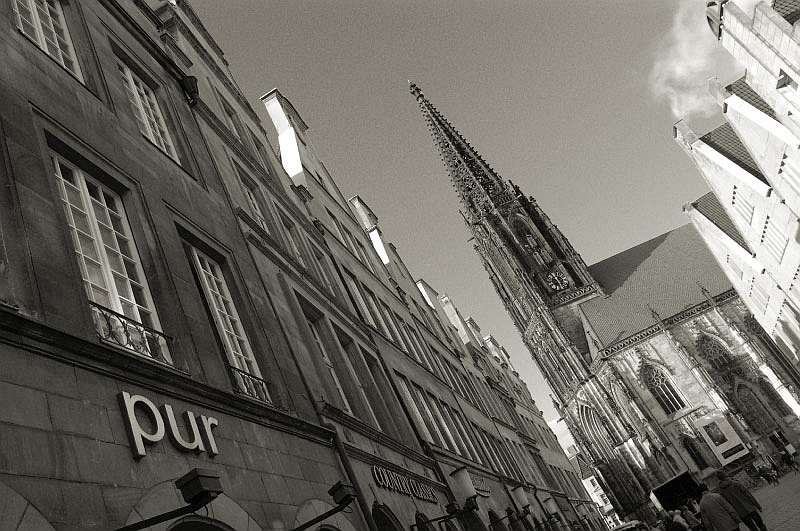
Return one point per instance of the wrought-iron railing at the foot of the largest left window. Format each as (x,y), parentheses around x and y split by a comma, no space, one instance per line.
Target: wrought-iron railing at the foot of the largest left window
(119,330)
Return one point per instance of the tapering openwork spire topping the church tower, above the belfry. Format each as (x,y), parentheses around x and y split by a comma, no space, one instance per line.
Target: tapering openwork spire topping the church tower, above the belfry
(479,188)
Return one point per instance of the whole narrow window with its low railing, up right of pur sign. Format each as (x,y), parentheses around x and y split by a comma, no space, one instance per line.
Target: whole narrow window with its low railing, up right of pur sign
(244,368)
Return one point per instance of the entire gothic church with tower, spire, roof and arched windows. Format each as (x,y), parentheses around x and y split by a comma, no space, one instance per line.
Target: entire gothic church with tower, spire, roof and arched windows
(649,353)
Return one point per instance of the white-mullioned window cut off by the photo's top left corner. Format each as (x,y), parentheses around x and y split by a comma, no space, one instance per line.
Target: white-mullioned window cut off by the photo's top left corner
(43,22)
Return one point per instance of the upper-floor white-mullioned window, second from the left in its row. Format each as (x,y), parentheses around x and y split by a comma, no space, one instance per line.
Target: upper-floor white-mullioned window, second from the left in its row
(146,110)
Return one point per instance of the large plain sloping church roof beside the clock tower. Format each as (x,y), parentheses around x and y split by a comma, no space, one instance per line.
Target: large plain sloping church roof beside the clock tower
(661,273)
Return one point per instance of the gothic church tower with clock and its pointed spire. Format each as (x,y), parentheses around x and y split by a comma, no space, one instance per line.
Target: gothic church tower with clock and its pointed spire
(534,269)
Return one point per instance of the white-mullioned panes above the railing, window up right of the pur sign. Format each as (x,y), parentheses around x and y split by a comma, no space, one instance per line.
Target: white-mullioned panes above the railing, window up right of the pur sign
(226,318)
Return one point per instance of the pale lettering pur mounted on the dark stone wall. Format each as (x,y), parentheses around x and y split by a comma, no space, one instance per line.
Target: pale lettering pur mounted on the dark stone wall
(200,437)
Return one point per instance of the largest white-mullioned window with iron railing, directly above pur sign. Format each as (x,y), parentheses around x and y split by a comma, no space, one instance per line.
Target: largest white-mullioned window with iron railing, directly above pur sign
(109,262)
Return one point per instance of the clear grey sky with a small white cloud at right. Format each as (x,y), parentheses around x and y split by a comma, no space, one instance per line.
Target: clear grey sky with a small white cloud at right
(572,100)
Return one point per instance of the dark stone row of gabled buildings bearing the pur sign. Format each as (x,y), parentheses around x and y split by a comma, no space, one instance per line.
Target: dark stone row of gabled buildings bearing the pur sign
(175,295)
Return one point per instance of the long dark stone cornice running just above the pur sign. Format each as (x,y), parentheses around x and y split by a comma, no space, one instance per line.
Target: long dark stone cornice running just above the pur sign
(39,339)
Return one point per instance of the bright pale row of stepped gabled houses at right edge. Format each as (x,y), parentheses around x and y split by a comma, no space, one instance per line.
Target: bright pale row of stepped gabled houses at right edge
(749,164)
